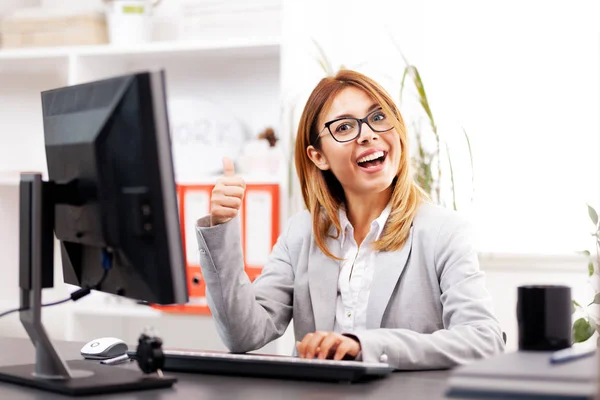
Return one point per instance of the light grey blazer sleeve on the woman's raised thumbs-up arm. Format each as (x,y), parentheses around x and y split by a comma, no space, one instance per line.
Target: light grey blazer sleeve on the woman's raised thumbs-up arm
(248,315)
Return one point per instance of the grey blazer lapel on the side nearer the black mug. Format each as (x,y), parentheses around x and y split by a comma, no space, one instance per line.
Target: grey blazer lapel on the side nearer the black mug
(388,268)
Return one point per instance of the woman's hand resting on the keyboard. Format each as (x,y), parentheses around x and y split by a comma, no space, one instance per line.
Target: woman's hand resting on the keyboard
(328,345)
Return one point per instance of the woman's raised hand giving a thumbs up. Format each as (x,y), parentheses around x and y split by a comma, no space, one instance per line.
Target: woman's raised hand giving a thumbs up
(227,195)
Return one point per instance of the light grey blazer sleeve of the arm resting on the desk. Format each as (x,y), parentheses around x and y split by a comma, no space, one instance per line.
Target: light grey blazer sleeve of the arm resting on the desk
(471,330)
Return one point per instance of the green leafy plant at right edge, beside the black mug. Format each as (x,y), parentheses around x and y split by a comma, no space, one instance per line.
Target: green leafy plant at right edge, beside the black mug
(584,327)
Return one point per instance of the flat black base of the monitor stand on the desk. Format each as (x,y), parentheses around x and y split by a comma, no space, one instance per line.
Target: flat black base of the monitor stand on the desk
(104,379)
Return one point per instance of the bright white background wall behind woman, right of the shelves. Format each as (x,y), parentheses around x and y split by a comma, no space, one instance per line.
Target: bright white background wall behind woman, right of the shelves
(521,77)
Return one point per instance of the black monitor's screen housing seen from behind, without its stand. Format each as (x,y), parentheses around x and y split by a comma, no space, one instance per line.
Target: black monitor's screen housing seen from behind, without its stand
(112,137)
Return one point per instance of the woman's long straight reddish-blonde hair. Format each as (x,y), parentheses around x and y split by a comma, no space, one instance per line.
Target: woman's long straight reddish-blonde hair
(322,192)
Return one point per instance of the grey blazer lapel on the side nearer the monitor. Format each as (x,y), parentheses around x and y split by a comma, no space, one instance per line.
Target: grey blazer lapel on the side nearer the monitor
(323,273)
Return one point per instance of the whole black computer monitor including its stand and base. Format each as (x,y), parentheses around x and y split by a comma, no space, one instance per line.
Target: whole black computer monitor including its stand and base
(111,201)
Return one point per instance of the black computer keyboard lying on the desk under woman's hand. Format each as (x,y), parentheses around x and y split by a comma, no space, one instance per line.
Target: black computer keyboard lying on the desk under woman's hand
(270,366)
